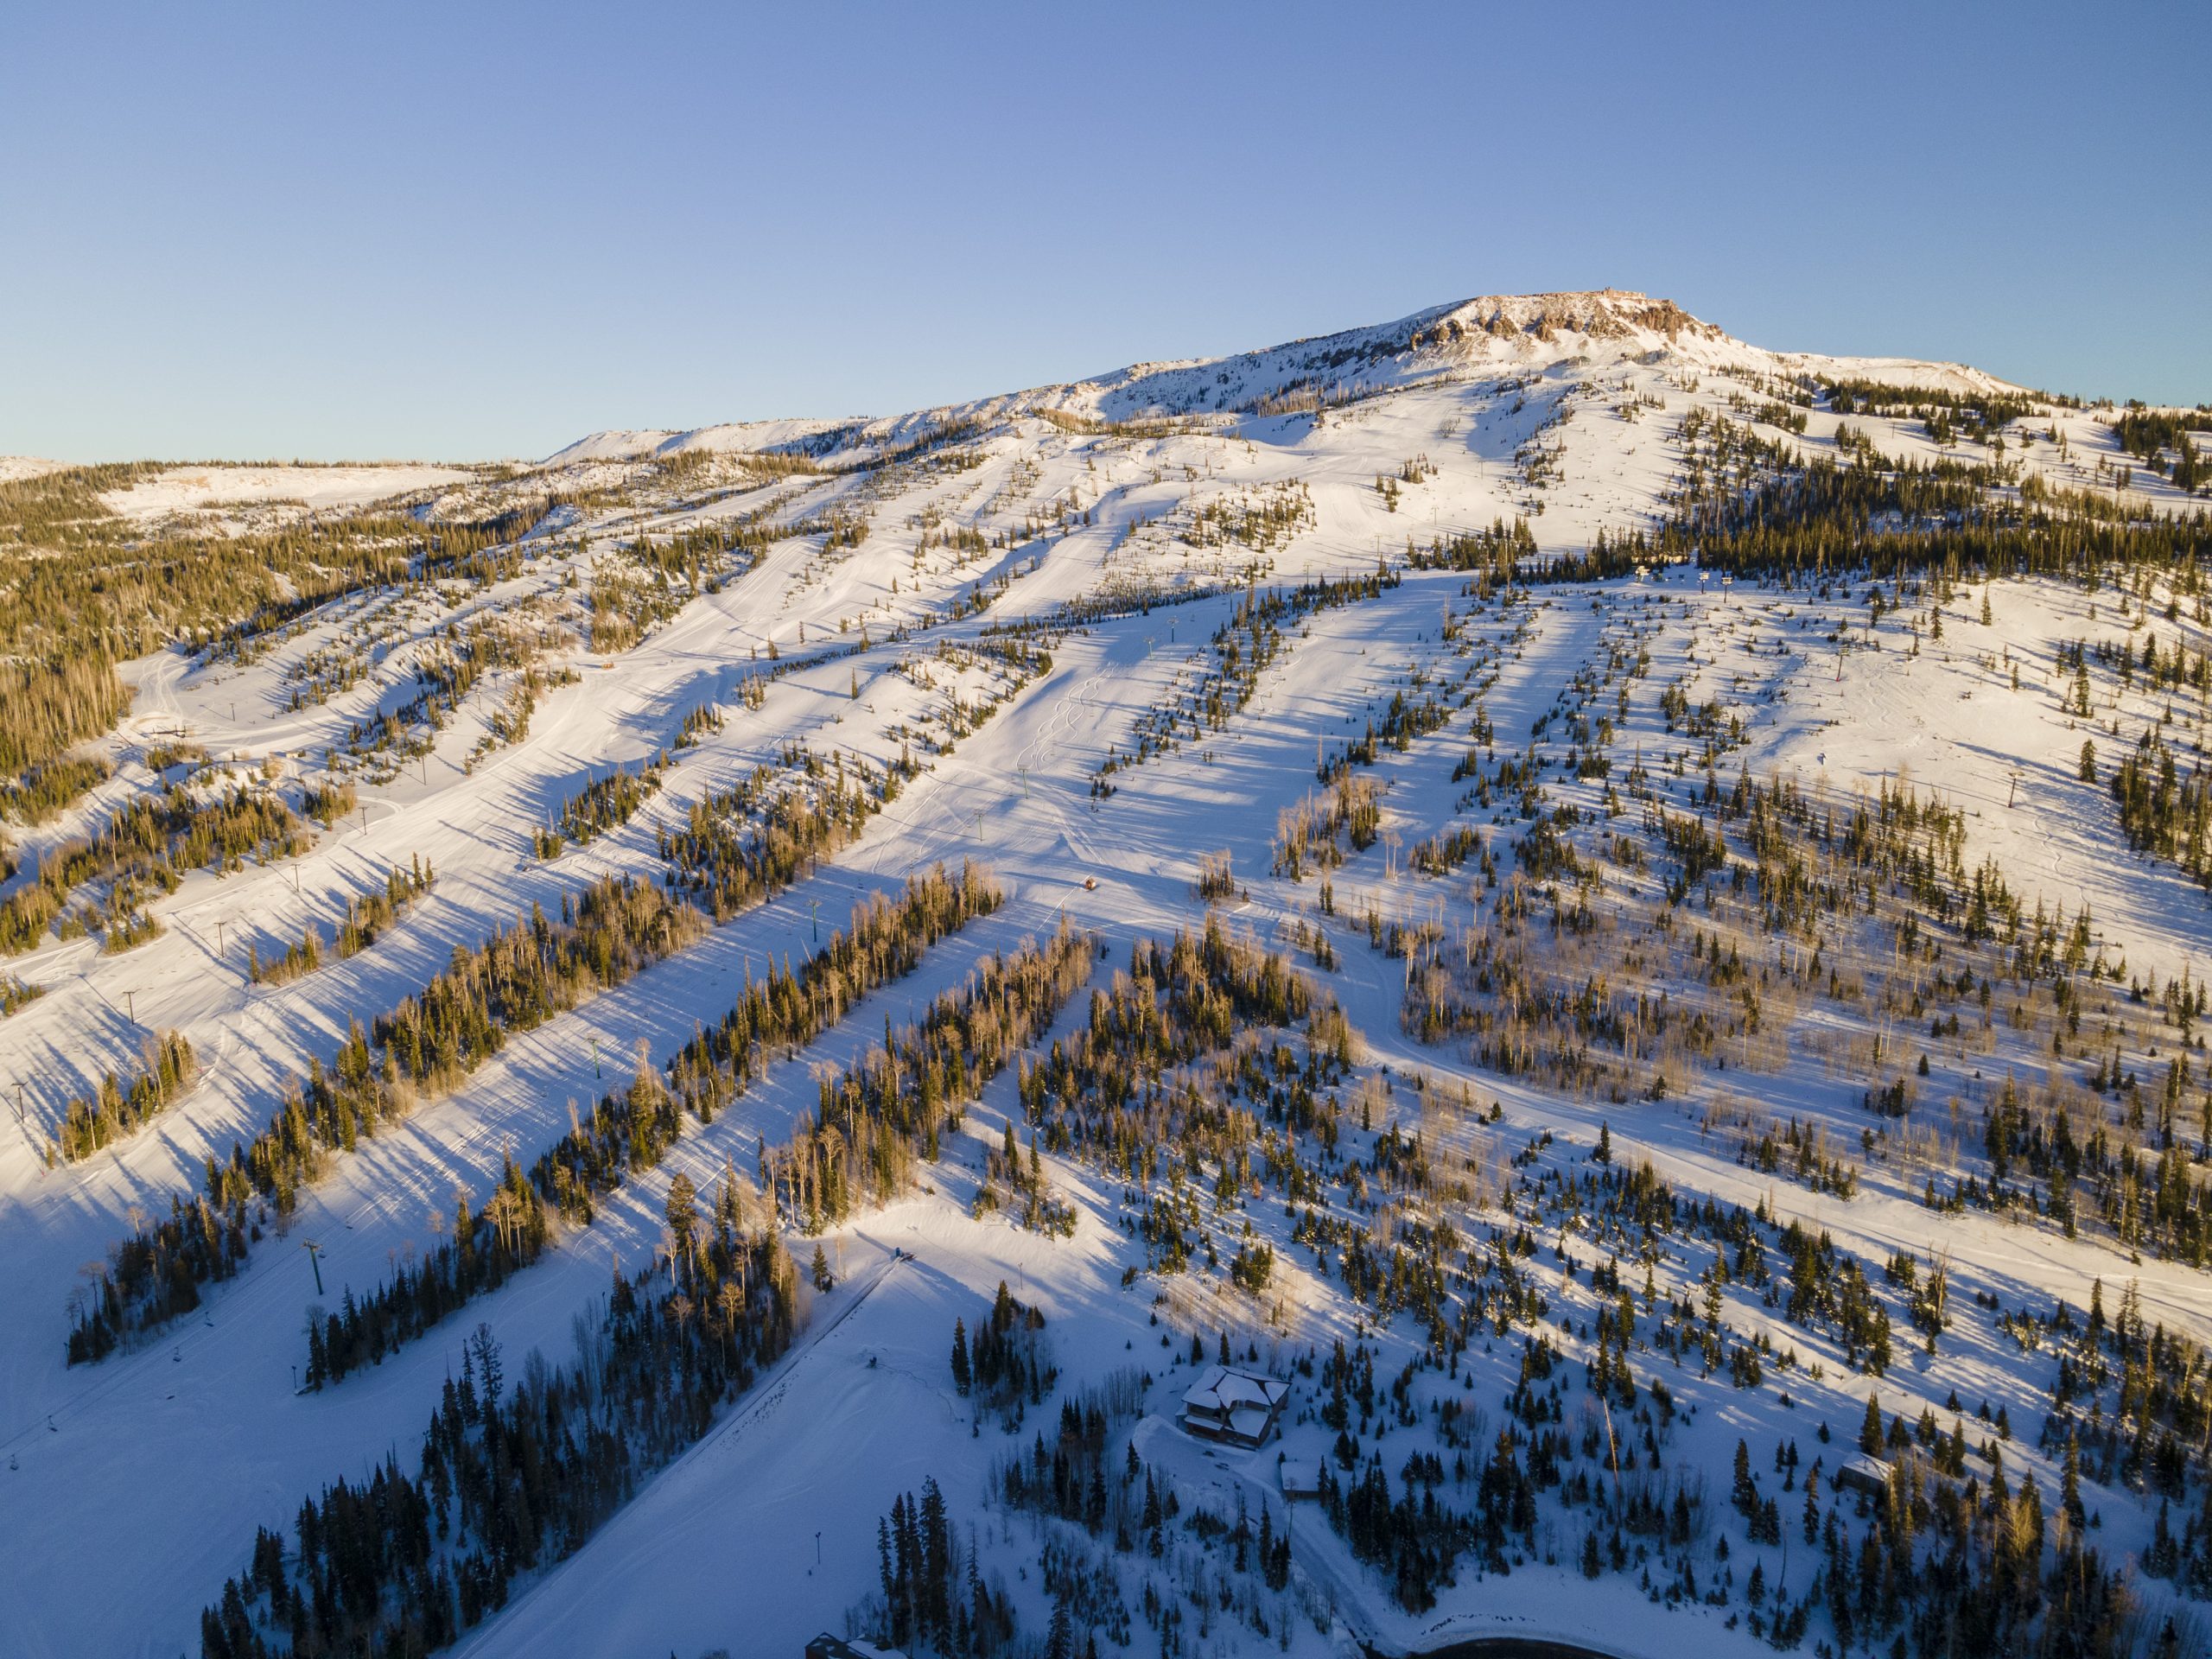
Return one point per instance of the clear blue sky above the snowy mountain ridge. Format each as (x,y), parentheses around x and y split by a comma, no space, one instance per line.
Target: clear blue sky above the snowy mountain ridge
(461,231)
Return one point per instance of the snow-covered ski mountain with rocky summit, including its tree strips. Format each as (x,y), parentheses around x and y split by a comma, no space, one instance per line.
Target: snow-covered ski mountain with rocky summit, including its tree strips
(729,1054)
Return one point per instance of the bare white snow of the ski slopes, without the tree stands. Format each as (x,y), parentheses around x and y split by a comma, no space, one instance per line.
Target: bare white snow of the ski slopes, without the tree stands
(1131,512)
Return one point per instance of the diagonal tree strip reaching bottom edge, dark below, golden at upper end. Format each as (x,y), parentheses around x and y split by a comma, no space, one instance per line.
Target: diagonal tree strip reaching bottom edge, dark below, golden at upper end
(510,1483)
